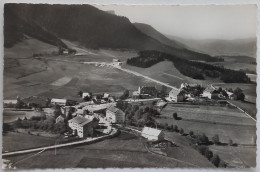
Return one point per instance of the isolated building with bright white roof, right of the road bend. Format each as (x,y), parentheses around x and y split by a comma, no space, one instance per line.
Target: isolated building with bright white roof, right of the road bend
(152,134)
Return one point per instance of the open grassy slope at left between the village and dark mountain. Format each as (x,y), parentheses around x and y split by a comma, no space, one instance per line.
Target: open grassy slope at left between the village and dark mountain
(42,72)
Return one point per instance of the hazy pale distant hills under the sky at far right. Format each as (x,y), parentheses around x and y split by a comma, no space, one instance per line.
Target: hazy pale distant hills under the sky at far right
(215,47)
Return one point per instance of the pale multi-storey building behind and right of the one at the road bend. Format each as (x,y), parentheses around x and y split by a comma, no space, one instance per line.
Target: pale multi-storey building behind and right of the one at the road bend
(115,115)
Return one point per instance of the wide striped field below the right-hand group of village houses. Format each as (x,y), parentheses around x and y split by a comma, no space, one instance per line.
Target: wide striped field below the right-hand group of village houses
(211,120)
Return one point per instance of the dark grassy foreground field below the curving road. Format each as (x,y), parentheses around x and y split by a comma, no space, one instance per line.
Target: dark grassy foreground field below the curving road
(125,150)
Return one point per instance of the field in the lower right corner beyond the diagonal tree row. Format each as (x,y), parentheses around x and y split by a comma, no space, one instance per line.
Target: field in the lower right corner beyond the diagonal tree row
(236,157)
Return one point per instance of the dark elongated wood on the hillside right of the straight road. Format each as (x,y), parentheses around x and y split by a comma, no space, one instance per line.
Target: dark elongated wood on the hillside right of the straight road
(193,69)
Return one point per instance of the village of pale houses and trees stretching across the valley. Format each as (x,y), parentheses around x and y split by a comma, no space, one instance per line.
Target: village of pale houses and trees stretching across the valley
(99,113)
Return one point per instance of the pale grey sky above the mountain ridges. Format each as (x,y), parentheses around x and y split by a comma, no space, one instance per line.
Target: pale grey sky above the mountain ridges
(194,22)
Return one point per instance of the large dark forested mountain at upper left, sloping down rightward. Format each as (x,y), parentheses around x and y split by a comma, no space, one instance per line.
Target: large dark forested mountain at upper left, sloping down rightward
(87,25)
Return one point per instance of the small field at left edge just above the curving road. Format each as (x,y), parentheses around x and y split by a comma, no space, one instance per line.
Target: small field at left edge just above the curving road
(17,141)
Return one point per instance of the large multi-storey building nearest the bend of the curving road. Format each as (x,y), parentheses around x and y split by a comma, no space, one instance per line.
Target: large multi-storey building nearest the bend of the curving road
(83,126)
